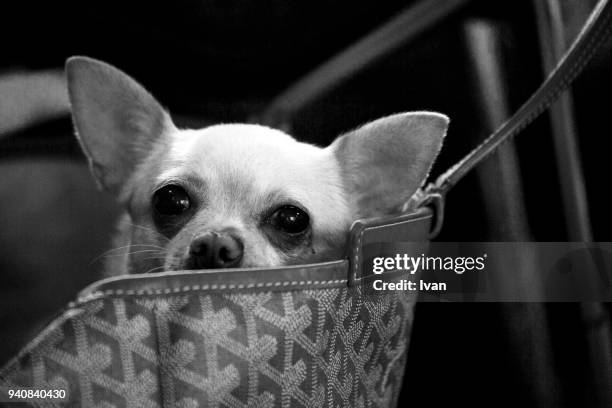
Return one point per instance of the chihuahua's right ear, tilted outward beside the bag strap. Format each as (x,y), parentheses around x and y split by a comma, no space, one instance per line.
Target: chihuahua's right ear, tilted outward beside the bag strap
(384,162)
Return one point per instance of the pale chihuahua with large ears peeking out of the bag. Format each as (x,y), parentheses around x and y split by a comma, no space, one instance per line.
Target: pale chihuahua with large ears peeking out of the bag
(237,195)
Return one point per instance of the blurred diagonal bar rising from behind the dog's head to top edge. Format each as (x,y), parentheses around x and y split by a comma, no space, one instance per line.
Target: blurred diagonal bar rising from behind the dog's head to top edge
(402,28)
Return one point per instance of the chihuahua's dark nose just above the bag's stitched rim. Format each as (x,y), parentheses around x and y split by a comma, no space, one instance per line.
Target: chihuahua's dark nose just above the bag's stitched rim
(215,250)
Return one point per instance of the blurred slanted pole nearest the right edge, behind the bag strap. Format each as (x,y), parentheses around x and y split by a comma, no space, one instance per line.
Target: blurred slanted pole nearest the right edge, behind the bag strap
(553,41)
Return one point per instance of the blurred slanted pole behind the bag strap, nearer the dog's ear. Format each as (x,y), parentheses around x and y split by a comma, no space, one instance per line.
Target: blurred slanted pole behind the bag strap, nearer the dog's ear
(500,181)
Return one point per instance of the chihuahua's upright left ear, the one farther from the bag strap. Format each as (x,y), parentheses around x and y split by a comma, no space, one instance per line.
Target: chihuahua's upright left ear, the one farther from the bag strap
(118,123)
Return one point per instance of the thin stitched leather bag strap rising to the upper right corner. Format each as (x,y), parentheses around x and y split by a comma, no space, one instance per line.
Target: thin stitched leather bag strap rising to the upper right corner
(592,36)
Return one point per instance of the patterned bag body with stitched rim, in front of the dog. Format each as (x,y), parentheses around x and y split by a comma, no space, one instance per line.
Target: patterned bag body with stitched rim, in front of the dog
(308,336)
